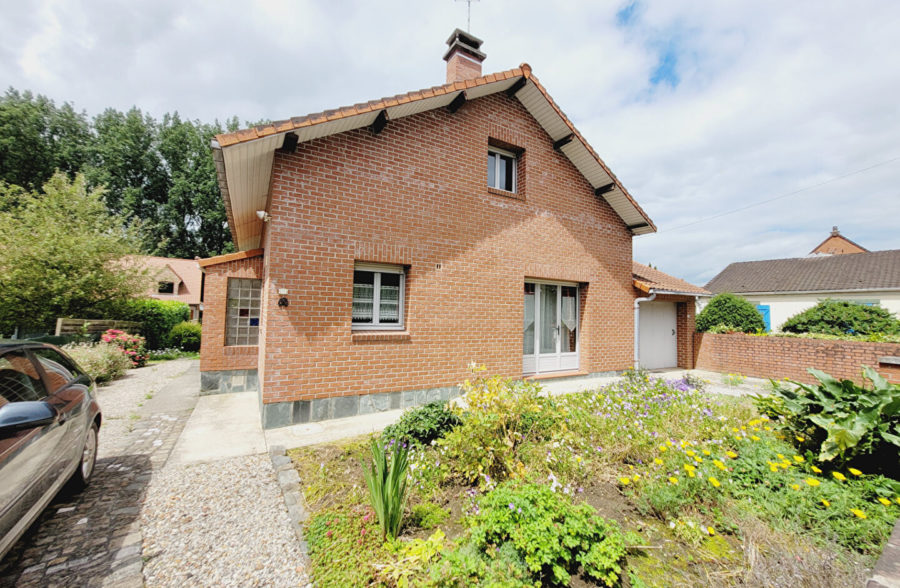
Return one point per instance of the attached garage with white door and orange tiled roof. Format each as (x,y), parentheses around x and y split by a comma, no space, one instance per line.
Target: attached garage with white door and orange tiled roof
(664,315)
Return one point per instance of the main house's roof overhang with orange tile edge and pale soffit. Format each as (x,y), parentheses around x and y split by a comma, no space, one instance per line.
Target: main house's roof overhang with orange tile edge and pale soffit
(244,158)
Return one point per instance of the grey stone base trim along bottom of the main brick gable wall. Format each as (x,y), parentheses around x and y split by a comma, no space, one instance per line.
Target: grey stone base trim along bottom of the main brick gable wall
(283,414)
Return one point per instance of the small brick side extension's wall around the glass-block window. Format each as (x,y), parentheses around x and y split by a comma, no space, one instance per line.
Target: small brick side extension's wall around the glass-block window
(214,355)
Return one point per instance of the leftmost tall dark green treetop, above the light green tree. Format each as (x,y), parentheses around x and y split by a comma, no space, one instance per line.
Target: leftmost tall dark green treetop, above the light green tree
(37,138)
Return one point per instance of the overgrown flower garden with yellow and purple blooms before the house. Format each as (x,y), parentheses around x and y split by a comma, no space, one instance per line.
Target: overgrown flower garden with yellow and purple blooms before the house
(643,483)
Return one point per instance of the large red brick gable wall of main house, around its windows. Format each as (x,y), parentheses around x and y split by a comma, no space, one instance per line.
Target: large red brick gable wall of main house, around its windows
(416,195)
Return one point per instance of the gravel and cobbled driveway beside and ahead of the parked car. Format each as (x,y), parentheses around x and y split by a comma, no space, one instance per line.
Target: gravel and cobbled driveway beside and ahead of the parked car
(145,521)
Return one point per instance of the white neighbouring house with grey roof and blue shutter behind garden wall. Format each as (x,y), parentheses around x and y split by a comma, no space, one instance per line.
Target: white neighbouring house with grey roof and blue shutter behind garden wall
(781,288)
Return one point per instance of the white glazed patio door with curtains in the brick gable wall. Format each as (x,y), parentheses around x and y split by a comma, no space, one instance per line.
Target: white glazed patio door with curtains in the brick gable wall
(550,327)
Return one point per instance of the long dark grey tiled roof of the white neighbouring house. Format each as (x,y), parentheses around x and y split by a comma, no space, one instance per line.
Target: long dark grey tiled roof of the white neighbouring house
(875,270)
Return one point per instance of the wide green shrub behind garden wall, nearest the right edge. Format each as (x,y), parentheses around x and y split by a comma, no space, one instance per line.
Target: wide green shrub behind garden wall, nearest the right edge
(839,317)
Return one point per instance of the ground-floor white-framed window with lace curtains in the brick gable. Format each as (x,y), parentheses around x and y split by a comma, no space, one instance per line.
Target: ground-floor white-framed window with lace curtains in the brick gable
(378,296)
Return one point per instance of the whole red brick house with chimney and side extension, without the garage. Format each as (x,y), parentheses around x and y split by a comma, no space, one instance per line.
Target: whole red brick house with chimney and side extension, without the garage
(385,246)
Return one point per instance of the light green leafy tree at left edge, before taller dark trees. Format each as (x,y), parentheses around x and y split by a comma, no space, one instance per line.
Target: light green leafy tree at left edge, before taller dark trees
(64,255)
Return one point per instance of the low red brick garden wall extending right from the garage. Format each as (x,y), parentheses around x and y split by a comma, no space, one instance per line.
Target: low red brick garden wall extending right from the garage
(786,357)
